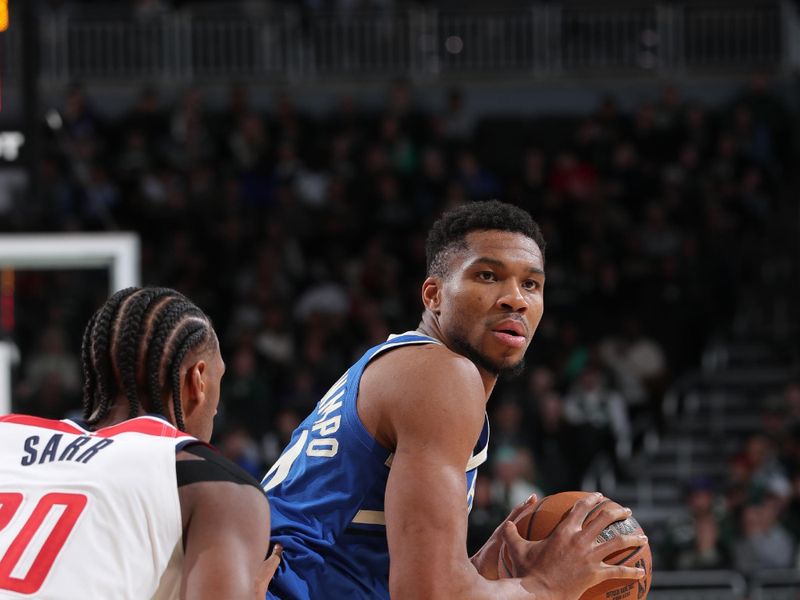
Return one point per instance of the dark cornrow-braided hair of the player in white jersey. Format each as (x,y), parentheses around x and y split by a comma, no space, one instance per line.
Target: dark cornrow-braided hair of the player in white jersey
(134,344)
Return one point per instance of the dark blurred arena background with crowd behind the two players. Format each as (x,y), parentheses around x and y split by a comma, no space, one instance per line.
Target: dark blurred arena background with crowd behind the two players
(280,163)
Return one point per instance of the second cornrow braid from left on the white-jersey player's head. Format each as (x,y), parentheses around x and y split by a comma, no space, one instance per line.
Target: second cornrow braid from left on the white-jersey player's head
(128,339)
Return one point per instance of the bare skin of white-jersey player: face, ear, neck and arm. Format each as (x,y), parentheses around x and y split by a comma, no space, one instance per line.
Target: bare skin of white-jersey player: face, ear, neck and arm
(225,525)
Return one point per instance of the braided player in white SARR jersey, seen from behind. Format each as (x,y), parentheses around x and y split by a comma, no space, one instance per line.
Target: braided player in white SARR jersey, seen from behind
(132,502)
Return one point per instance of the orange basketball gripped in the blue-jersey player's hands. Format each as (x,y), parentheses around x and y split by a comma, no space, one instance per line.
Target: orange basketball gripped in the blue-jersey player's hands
(539,521)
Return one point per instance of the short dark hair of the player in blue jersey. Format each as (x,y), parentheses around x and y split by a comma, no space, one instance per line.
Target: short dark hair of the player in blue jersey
(450,230)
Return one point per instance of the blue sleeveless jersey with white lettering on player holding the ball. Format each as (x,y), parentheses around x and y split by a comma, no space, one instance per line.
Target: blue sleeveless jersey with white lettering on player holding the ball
(326,497)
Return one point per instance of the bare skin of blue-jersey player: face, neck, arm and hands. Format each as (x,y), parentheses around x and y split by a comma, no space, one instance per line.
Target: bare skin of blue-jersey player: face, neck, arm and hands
(427,404)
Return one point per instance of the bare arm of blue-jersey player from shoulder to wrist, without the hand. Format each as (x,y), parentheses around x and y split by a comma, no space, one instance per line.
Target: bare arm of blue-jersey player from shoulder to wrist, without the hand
(433,419)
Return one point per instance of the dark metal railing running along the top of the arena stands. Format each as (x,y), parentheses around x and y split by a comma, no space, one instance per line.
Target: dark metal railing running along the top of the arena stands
(218,42)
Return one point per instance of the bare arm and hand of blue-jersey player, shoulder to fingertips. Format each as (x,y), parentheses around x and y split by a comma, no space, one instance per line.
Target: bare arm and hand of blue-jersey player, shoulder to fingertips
(429,407)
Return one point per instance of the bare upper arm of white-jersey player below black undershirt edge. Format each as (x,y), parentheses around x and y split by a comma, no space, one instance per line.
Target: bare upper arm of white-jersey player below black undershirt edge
(226,537)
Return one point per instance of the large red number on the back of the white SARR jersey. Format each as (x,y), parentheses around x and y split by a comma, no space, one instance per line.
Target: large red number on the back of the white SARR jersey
(59,526)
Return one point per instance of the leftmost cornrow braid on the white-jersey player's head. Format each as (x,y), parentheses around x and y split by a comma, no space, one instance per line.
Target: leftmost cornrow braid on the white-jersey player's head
(102,399)
